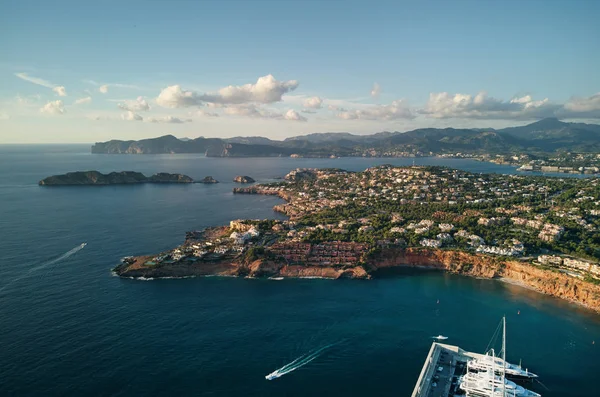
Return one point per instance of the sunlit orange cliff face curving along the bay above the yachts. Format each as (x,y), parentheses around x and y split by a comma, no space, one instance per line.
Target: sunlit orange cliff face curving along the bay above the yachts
(524,274)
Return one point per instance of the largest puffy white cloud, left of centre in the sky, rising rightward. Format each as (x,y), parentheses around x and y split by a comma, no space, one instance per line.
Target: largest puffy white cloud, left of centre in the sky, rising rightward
(266,90)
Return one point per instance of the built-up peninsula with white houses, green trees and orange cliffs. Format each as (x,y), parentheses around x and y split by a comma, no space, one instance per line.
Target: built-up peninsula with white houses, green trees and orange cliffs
(539,232)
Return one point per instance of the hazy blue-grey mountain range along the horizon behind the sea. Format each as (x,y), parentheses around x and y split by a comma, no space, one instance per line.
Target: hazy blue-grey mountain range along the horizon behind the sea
(547,135)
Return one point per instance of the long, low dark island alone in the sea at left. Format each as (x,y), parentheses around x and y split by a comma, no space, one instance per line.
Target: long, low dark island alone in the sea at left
(84,178)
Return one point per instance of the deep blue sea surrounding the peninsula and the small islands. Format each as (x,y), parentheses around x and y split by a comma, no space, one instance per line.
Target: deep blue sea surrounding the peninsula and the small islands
(68,327)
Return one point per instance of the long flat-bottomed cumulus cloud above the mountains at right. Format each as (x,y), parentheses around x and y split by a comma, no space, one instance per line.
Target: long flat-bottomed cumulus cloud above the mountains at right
(481,106)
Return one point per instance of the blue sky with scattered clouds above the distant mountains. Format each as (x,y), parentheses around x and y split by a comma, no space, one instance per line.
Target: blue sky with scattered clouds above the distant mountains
(80,72)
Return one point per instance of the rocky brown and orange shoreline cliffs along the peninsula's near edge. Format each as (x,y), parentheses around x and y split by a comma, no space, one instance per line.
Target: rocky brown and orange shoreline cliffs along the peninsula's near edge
(457,262)
